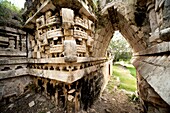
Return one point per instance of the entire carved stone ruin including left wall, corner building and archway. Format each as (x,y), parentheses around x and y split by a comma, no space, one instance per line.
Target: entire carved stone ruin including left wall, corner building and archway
(61,50)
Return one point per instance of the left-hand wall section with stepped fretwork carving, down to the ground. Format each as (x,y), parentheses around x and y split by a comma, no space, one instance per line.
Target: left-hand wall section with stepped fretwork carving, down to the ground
(13,64)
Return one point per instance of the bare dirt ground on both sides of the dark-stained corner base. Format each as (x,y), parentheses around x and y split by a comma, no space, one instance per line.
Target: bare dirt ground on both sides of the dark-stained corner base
(116,102)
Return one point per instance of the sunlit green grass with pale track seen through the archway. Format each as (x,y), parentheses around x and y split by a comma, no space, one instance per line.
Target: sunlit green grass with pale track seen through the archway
(126,75)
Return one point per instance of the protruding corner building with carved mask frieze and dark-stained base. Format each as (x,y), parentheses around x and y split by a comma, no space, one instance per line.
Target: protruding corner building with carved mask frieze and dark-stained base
(61,42)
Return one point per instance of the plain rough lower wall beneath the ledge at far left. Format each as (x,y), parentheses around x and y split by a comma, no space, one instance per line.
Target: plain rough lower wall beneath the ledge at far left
(12,88)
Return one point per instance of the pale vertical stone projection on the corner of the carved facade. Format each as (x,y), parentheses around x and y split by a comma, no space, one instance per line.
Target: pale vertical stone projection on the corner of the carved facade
(70,48)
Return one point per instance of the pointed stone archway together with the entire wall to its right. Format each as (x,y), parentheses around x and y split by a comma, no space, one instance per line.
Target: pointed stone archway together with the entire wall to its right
(139,25)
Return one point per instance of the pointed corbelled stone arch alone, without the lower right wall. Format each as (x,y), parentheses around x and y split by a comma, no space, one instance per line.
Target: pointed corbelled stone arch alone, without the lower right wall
(119,16)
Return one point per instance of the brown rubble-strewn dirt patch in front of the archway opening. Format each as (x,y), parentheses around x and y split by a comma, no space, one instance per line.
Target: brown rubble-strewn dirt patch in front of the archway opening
(116,102)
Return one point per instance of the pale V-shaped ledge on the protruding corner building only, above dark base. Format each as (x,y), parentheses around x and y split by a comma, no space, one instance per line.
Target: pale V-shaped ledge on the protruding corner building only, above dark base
(65,76)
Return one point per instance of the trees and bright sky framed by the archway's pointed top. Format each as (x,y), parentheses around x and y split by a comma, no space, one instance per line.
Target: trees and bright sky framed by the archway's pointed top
(120,48)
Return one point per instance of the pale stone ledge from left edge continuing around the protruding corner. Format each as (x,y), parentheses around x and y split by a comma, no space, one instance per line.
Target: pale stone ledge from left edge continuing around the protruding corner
(64,76)
